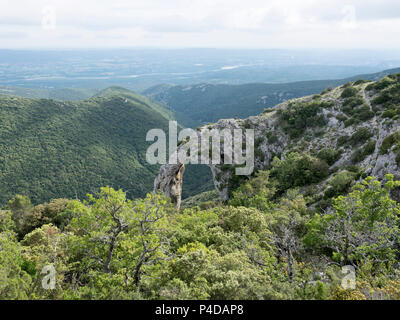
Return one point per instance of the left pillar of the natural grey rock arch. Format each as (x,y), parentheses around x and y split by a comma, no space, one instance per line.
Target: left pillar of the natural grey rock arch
(169,182)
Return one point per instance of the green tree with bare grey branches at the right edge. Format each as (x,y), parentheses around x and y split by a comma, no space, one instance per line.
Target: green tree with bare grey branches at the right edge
(363,225)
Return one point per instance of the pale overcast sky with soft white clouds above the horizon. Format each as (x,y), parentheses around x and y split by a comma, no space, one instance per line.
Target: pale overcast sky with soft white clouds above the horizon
(200,23)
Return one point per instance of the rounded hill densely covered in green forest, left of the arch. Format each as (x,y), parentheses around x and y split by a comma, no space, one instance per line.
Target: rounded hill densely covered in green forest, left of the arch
(51,148)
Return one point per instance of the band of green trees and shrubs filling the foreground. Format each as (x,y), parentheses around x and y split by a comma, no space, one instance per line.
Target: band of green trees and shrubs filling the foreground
(260,245)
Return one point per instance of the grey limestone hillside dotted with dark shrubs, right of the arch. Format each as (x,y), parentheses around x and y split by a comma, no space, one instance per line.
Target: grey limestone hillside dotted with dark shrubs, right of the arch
(336,138)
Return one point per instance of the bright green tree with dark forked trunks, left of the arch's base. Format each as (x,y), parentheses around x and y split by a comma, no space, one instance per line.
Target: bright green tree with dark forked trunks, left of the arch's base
(114,239)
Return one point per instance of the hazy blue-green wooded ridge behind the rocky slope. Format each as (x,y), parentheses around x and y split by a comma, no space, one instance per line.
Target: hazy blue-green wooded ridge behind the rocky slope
(203,103)
